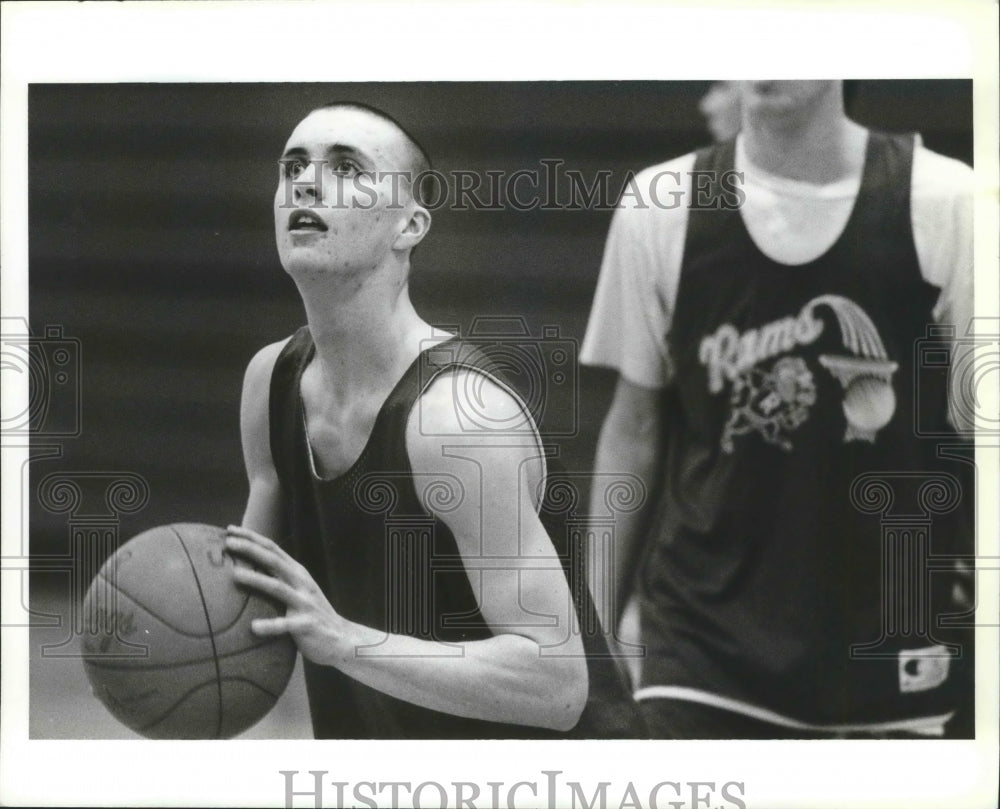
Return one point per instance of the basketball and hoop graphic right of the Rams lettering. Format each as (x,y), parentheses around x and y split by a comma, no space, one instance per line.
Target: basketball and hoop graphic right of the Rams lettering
(866,374)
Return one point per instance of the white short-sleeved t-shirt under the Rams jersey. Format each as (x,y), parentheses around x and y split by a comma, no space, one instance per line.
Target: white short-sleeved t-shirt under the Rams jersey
(791,222)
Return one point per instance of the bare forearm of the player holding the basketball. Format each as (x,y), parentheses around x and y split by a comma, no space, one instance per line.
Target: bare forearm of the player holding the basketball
(500,679)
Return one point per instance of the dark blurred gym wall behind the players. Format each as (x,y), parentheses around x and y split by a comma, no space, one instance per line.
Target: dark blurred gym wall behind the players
(151,242)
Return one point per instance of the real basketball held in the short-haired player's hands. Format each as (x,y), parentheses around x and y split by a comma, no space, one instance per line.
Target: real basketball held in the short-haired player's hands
(167,644)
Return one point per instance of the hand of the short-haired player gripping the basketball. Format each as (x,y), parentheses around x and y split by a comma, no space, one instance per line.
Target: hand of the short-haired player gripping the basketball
(316,627)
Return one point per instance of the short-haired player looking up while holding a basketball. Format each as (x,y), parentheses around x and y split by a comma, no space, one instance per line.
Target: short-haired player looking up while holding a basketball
(403,537)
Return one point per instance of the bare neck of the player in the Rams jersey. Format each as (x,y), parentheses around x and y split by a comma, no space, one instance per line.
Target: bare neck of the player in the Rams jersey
(823,148)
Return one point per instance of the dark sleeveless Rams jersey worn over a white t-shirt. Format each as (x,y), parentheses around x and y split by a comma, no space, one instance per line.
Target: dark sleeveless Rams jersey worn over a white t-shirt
(794,385)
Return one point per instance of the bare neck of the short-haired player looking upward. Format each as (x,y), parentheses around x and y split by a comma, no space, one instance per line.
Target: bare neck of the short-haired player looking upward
(365,337)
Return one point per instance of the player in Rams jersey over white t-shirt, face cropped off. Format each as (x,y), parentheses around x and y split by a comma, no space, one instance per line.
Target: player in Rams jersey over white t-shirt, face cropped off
(764,333)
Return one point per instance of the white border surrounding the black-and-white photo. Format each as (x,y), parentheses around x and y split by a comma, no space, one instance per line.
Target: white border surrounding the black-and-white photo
(372,41)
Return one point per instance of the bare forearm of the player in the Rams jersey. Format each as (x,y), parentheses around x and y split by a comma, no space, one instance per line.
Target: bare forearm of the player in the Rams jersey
(626,450)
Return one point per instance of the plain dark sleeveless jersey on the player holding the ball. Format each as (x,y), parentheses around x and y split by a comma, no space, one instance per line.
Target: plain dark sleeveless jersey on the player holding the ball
(384,561)
